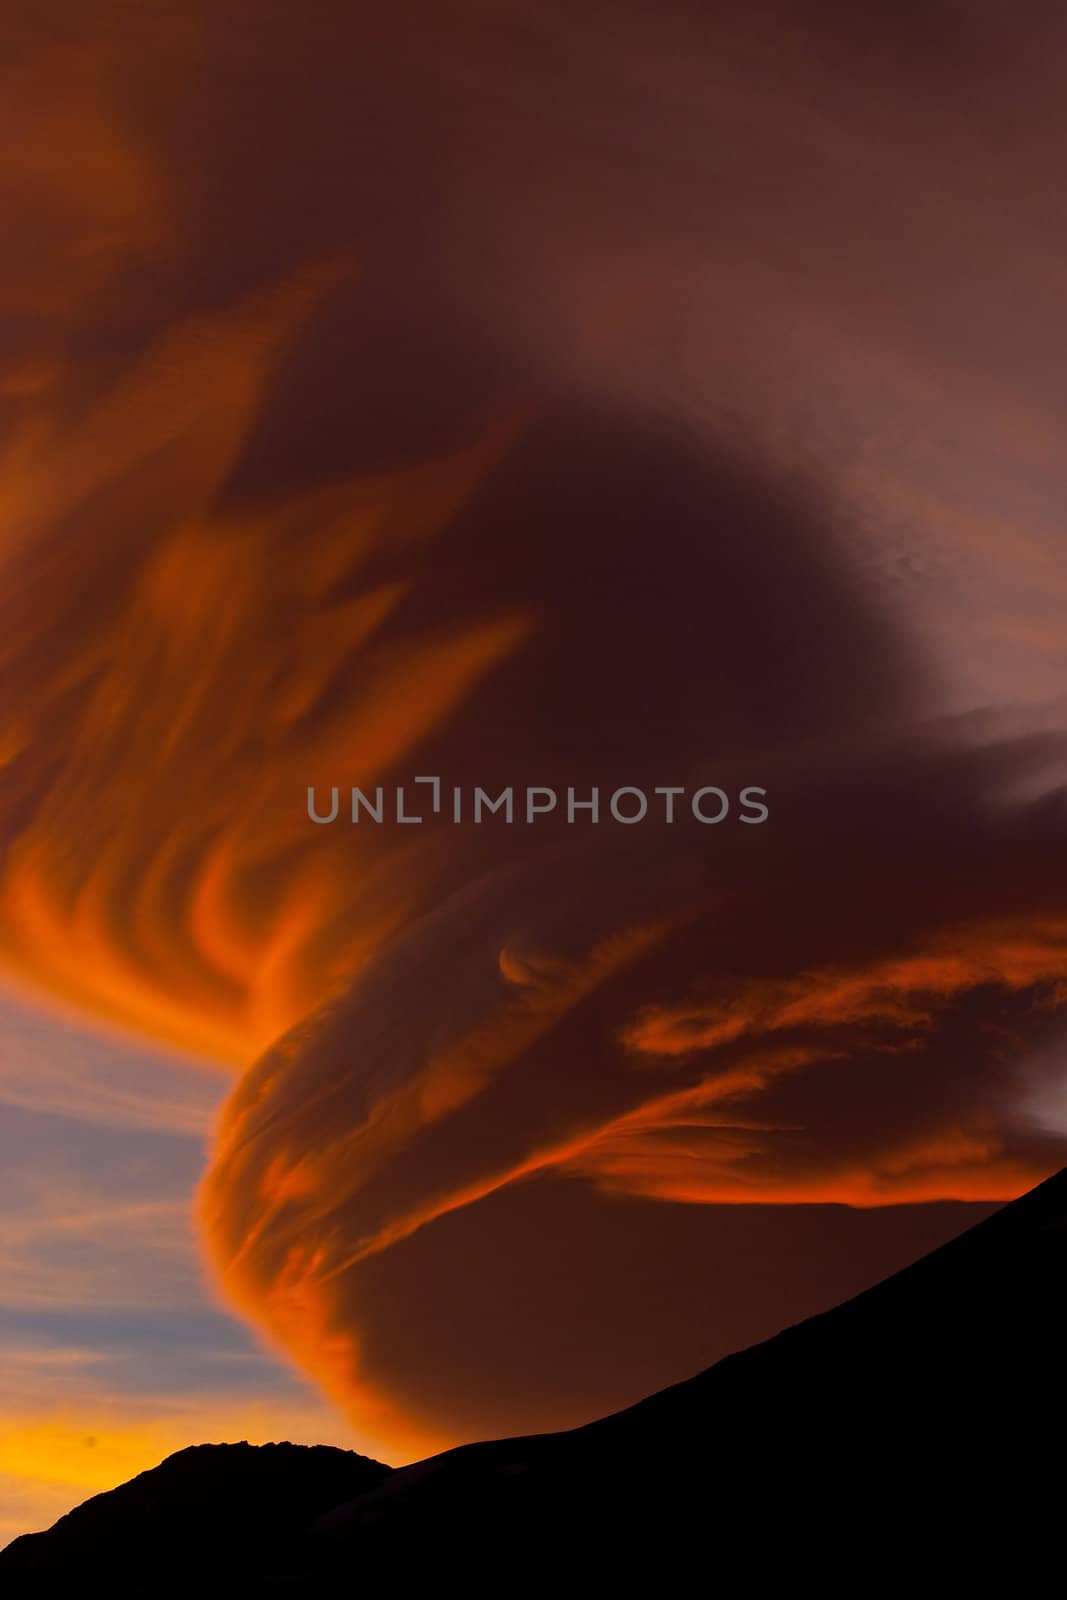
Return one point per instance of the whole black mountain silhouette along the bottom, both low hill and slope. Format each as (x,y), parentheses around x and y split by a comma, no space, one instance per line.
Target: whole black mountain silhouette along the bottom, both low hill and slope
(914,1433)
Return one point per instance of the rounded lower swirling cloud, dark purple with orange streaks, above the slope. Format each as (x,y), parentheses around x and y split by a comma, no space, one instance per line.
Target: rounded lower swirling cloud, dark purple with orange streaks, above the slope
(773,1025)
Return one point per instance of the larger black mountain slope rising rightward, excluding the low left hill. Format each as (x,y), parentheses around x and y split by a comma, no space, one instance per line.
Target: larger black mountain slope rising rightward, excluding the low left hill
(921,1415)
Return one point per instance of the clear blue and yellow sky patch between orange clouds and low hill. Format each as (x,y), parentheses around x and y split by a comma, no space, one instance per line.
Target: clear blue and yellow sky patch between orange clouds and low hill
(113,1353)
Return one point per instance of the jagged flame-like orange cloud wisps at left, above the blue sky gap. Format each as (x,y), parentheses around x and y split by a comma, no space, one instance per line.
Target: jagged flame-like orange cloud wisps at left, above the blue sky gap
(188,681)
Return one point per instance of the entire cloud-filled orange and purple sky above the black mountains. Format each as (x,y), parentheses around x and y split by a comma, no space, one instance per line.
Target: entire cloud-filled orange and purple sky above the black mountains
(530,396)
